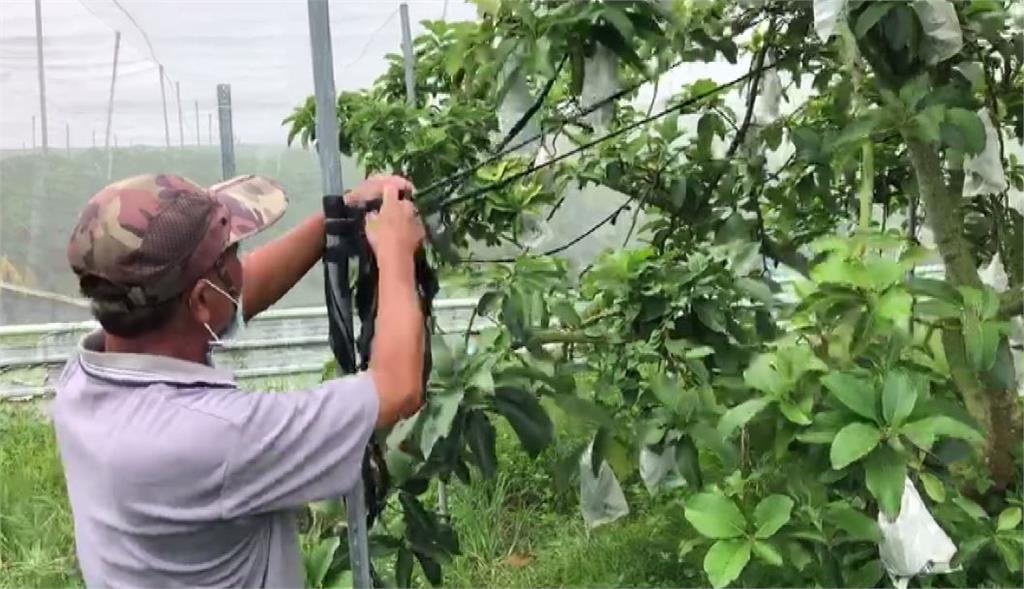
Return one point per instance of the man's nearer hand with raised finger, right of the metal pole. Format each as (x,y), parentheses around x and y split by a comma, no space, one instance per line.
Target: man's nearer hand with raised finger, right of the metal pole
(397,231)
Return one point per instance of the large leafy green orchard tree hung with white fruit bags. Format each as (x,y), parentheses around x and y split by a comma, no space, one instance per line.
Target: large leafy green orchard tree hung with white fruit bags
(784,420)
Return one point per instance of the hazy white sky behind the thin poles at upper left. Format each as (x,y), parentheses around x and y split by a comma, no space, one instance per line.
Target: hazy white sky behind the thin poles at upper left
(261,48)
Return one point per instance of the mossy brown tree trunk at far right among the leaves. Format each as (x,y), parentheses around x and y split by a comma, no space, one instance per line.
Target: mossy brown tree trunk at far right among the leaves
(990,400)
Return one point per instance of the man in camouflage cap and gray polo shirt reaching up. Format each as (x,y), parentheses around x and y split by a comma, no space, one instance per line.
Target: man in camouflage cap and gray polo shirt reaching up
(178,478)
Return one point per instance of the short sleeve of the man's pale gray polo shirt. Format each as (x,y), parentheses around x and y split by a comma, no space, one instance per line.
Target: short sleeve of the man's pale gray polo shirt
(295,448)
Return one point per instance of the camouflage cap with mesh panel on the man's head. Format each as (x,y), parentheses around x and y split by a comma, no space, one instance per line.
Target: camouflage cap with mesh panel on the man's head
(156,235)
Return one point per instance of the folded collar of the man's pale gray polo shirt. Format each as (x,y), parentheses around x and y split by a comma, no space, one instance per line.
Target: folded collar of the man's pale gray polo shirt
(147,368)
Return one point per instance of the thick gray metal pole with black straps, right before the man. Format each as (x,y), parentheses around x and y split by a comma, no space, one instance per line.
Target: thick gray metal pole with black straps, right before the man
(330,161)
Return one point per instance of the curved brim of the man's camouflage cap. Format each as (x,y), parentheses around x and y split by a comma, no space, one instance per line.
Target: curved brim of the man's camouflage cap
(255,203)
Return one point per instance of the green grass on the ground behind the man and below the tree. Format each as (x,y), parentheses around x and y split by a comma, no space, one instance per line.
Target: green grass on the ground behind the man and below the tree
(517,531)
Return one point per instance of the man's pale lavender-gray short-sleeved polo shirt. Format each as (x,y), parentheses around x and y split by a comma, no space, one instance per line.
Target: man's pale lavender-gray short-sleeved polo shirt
(178,479)
